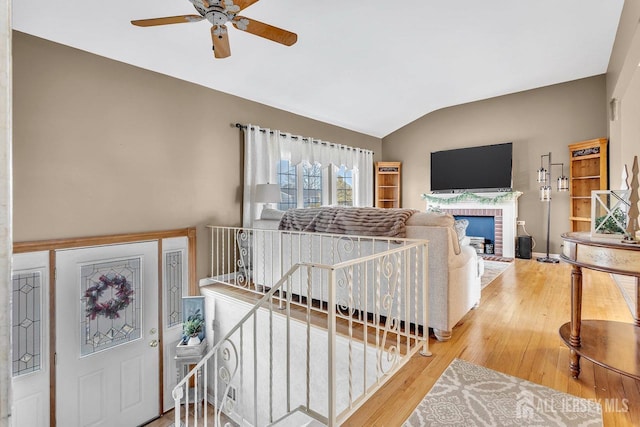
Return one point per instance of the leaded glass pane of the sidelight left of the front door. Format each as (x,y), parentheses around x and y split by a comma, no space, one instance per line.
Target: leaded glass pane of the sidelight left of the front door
(26,321)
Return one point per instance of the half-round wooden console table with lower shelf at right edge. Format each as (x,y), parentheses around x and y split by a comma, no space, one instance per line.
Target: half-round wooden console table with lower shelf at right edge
(613,345)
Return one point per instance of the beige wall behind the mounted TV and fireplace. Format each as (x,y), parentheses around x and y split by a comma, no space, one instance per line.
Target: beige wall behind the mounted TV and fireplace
(537,122)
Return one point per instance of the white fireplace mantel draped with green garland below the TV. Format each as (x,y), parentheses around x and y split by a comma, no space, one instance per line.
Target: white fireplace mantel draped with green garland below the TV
(503,206)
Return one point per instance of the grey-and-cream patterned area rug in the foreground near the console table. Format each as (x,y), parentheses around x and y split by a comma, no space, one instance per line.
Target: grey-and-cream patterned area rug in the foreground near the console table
(471,395)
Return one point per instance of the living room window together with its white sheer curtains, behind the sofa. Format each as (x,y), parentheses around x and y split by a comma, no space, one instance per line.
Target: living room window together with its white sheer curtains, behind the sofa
(309,172)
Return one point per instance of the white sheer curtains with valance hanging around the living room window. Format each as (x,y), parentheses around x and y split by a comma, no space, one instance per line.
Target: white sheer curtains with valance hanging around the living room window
(264,148)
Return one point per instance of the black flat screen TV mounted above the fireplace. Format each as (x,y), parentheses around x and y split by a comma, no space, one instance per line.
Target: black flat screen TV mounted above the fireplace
(475,169)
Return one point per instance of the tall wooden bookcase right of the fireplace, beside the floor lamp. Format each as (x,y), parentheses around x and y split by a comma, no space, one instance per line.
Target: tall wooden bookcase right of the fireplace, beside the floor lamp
(588,171)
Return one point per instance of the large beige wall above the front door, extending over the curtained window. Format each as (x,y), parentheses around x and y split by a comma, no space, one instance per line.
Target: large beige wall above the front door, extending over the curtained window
(101,147)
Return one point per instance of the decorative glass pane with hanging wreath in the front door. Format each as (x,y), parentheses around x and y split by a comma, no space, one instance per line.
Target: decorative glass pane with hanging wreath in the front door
(111,297)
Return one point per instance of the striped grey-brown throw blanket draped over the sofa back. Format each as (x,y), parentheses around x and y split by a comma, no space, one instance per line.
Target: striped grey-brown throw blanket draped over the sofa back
(347,220)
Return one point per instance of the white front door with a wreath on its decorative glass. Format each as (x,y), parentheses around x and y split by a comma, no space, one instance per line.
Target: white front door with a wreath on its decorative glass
(107,350)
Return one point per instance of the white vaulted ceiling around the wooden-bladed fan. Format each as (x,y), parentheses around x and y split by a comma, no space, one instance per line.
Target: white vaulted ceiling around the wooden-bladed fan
(369,66)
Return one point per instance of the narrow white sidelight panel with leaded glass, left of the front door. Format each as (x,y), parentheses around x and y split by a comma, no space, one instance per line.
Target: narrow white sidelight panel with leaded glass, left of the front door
(30,342)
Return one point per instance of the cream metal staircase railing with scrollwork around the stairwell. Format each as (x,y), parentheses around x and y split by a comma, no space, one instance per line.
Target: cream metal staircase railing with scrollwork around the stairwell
(320,340)
